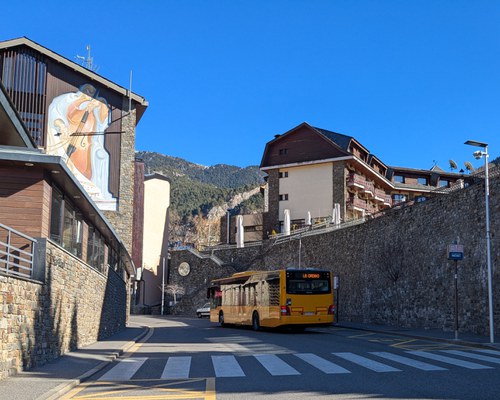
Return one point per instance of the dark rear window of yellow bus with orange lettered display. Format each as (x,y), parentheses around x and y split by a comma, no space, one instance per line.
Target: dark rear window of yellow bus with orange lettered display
(308,282)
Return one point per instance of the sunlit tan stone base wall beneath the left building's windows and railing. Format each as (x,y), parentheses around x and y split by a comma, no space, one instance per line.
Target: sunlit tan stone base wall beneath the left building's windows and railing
(72,305)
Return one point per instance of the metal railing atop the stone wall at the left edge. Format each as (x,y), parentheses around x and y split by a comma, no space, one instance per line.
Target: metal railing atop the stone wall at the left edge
(16,252)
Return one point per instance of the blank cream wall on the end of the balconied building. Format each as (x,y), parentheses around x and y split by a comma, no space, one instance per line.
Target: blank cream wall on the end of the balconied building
(309,188)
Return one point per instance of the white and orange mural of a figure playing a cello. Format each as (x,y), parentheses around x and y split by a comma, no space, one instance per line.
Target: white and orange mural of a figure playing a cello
(75,132)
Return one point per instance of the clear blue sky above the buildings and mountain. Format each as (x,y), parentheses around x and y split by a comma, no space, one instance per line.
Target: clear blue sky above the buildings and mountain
(411,80)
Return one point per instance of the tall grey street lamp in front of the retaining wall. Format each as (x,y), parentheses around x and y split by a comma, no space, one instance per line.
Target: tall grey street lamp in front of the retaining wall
(478,155)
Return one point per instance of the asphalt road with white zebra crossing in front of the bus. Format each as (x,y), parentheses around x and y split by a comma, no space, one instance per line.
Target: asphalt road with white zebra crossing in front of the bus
(193,358)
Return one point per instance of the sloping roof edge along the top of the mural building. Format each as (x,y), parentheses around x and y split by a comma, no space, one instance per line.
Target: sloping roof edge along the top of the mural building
(24,41)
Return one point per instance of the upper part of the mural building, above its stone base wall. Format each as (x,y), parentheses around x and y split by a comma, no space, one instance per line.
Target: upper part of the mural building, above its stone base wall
(72,180)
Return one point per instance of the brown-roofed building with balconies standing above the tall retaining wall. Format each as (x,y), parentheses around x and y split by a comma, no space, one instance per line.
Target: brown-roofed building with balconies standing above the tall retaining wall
(309,170)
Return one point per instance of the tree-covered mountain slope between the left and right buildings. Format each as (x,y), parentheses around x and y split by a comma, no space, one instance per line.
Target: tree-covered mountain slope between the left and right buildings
(198,193)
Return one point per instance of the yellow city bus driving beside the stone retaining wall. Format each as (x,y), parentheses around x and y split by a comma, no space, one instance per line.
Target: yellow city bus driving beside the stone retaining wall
(288,297)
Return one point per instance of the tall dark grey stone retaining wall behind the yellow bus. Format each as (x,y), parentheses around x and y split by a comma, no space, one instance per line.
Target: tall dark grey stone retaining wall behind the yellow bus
(393,269)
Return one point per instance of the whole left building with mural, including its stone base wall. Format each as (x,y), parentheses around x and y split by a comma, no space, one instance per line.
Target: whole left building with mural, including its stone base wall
(67,179)
